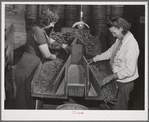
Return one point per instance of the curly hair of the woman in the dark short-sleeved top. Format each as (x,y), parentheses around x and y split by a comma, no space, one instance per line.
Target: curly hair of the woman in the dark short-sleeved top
(47,16)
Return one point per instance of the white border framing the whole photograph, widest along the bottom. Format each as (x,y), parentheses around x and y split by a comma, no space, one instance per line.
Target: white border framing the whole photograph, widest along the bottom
(44,115)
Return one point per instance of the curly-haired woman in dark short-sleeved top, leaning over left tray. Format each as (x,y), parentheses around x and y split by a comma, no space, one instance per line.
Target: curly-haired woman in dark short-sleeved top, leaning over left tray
(36,48)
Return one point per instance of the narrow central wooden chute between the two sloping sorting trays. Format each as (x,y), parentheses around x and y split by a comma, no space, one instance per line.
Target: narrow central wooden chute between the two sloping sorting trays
(76,88)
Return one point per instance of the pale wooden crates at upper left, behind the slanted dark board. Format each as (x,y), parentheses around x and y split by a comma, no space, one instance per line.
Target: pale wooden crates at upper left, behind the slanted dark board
(17,17)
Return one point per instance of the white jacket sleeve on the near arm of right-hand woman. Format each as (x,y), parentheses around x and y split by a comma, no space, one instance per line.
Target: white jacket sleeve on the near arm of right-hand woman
(130,63)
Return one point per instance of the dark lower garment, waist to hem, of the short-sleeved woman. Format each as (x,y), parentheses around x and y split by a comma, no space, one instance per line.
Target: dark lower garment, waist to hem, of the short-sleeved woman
(23,76)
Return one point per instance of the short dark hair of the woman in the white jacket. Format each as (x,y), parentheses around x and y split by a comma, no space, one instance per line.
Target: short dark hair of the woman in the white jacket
(119,22)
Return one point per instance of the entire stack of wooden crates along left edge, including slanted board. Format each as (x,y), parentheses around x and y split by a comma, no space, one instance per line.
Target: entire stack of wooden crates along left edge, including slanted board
(15,37)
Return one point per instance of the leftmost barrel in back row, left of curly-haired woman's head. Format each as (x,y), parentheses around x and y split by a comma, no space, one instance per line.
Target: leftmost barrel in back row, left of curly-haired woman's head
(31,12)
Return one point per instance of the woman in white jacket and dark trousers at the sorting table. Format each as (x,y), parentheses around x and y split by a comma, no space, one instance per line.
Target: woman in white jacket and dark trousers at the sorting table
(123,55)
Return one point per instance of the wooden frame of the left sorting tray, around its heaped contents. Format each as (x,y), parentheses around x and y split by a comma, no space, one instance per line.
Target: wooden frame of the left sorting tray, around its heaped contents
(59,85)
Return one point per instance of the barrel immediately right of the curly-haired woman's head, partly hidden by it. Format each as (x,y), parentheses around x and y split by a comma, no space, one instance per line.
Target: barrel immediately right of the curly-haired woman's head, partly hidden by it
(60,11)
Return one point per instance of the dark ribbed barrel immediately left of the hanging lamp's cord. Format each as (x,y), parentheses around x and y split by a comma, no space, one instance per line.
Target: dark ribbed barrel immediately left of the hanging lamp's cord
(71,15)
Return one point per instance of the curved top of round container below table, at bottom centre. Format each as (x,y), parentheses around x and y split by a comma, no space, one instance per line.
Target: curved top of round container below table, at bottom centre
(71,107)
